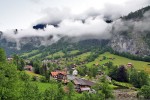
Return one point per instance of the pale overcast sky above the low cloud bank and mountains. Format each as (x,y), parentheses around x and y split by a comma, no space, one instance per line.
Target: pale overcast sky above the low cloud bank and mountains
(22,14)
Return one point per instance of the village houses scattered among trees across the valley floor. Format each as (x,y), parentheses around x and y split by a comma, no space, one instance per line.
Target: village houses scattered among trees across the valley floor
(66,75)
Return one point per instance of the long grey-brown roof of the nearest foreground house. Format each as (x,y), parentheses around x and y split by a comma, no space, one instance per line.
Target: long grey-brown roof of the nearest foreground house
(83,82)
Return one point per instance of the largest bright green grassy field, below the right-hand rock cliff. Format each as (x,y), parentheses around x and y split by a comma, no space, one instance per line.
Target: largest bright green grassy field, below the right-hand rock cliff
(139,65)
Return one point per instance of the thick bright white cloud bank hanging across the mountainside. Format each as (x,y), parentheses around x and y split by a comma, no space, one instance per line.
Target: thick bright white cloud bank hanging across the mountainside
(73,28)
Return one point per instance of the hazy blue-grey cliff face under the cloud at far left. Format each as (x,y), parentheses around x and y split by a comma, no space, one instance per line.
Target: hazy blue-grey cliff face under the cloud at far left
(24,44)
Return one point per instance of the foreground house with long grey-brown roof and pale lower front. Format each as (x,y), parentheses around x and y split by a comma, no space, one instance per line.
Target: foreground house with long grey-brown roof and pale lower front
(82,85)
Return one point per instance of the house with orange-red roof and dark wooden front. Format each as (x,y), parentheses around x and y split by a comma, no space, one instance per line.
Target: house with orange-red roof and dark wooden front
(59,75)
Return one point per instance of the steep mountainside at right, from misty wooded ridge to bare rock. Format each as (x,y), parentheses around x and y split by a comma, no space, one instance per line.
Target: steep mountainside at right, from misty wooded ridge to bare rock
(132,33)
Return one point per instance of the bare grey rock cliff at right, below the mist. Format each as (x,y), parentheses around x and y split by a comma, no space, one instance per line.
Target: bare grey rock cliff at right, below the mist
(134,44)
